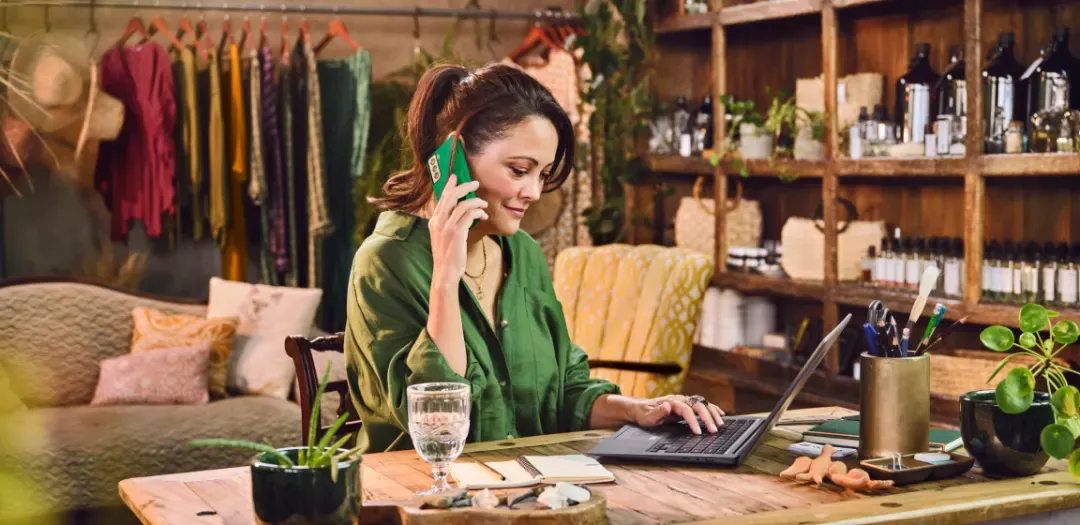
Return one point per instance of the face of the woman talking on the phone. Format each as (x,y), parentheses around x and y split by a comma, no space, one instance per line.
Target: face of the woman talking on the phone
(511,172)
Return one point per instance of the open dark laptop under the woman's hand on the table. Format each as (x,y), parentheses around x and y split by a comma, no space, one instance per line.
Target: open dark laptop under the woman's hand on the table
(732,446)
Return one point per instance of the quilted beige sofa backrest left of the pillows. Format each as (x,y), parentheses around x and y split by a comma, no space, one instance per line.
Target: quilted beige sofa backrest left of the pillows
(55,335)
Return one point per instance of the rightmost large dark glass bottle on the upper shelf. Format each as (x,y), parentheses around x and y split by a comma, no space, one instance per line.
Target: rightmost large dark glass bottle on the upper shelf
(1048,79)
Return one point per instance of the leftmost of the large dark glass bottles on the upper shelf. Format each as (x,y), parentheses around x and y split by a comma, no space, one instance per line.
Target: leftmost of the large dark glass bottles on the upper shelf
(913,97)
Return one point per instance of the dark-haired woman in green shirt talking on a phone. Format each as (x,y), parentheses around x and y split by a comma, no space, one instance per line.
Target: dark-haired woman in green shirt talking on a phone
(436,298)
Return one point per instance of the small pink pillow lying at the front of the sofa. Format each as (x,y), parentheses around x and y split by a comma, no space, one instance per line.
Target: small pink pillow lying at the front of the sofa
(173,376)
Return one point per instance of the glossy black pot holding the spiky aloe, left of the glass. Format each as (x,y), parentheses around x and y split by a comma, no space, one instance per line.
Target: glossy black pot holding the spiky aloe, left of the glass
(305,496)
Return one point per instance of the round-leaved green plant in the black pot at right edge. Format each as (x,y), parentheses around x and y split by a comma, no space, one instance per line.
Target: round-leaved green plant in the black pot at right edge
(1016,393)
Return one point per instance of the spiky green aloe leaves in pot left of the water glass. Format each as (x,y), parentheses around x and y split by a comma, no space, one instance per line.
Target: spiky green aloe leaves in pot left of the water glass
(315,455)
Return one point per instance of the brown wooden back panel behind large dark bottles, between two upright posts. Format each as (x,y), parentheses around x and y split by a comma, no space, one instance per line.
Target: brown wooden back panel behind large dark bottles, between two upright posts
(882,38)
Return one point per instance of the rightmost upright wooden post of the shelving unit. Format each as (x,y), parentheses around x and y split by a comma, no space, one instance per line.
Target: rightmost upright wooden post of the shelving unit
(975,185)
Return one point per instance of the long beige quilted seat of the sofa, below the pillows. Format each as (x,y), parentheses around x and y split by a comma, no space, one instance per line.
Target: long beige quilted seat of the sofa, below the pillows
(79,454)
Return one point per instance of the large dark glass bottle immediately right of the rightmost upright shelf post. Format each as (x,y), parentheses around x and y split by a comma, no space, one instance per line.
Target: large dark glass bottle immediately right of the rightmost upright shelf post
(1003,99)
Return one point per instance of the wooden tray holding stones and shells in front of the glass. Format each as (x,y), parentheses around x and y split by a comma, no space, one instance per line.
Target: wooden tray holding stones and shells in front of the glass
(591,513)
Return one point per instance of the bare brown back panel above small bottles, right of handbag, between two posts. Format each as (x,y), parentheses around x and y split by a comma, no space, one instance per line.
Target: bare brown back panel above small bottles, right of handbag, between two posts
(927,209)
